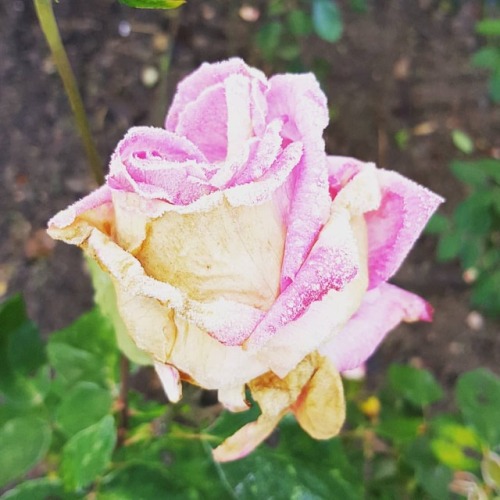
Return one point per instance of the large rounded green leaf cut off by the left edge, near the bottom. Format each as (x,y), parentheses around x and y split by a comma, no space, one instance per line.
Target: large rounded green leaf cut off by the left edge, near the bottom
(24,441)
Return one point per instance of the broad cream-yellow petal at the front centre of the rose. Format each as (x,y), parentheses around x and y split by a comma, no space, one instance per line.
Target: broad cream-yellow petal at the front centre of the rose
(225,253)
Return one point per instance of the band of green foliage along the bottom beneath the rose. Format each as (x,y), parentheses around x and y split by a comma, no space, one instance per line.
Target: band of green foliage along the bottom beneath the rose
(65,438)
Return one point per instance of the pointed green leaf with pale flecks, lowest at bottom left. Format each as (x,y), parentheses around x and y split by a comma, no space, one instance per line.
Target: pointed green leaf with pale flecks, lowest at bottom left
(87,454)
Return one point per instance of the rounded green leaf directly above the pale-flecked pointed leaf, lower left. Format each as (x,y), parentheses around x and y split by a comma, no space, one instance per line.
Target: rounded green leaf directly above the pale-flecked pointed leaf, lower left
(84,405)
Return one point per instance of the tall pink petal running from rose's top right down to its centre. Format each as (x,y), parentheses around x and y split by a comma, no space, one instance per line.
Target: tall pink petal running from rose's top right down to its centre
(300,103)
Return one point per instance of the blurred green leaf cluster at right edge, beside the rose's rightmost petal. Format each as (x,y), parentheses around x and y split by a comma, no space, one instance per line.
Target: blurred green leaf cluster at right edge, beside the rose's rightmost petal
(472,234)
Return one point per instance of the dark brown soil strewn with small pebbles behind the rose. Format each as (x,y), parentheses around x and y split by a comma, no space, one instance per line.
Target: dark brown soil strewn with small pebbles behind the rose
(402,65)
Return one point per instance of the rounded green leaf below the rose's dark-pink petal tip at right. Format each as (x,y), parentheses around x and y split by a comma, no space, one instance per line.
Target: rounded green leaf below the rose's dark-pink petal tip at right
(417,386)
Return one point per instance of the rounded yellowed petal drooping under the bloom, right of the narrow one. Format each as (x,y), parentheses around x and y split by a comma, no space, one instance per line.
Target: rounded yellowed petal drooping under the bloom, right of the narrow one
(320,408)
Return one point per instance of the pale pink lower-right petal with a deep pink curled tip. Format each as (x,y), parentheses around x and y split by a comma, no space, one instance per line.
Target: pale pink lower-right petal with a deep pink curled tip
(383,308)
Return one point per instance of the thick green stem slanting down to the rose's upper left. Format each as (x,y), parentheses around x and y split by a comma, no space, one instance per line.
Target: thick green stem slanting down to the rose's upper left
(45,13)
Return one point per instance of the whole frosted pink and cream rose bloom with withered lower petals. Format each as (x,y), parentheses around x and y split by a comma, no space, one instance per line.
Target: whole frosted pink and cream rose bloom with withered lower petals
(243,256)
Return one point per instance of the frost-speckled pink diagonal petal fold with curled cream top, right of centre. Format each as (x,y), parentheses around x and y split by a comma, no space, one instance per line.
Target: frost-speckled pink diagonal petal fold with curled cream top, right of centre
(336,258)
